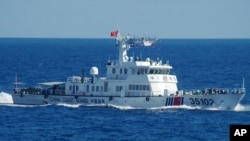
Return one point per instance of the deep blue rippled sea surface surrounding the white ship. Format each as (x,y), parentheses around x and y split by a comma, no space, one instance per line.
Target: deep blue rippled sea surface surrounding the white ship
(198,63)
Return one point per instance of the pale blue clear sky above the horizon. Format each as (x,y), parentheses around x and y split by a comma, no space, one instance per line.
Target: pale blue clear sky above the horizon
(97,18)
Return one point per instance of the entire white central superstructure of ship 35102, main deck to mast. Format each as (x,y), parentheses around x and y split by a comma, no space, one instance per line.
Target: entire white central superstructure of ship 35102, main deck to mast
(133,74)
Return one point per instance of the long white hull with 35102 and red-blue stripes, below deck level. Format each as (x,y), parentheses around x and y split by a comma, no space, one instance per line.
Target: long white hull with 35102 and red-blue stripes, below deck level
(217,101)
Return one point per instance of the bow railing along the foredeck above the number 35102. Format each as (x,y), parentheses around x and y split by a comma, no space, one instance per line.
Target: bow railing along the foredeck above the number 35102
(212,91)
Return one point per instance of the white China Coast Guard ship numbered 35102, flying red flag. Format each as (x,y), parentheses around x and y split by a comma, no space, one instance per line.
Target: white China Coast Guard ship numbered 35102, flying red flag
(130,82)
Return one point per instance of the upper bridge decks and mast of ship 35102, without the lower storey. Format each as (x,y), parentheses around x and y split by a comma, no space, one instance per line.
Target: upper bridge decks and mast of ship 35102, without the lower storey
(126,66)
